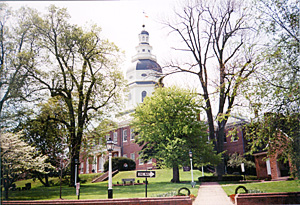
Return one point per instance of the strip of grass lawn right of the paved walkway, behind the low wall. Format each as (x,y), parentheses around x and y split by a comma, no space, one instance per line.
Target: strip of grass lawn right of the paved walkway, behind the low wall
(266,187)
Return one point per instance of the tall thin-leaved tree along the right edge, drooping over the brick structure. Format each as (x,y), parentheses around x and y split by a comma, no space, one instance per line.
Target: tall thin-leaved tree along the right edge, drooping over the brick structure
(275,91)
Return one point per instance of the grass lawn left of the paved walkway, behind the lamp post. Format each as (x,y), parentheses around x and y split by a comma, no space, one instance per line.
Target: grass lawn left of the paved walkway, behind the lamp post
(159,185)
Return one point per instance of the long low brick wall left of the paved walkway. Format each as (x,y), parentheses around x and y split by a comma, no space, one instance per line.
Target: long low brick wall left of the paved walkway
(180,200)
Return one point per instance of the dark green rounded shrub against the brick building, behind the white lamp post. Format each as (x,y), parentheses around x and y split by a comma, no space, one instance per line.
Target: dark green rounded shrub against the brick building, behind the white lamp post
(119,162)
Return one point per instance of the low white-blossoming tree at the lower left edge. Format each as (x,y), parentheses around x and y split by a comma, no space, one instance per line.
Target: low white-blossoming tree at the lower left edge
(17,157)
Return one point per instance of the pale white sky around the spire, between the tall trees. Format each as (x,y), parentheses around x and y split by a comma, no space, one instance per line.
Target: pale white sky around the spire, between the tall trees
(121,21)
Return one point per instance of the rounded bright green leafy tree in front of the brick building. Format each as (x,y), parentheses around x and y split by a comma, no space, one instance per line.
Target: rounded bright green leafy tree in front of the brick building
(168,129)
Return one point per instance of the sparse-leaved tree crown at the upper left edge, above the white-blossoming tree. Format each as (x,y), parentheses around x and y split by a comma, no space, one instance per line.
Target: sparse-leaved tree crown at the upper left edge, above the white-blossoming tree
(17,52)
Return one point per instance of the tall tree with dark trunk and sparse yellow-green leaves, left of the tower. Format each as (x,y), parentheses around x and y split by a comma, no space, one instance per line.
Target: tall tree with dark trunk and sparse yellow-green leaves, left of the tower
(80,67)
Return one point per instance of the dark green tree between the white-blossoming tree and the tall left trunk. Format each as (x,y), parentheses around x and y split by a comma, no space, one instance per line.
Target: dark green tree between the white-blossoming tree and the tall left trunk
(47,134)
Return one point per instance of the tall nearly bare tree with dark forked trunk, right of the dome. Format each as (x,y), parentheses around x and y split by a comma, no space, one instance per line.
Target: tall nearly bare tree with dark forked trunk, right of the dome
(217,34)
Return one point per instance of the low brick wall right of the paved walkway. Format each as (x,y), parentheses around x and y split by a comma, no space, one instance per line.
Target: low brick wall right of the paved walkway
(268,198)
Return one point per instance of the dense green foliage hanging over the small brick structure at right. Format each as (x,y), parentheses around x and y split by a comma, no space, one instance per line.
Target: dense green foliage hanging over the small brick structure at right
(277,134)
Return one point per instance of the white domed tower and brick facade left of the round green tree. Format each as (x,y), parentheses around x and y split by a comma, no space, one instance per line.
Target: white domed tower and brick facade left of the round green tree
(141,75)
